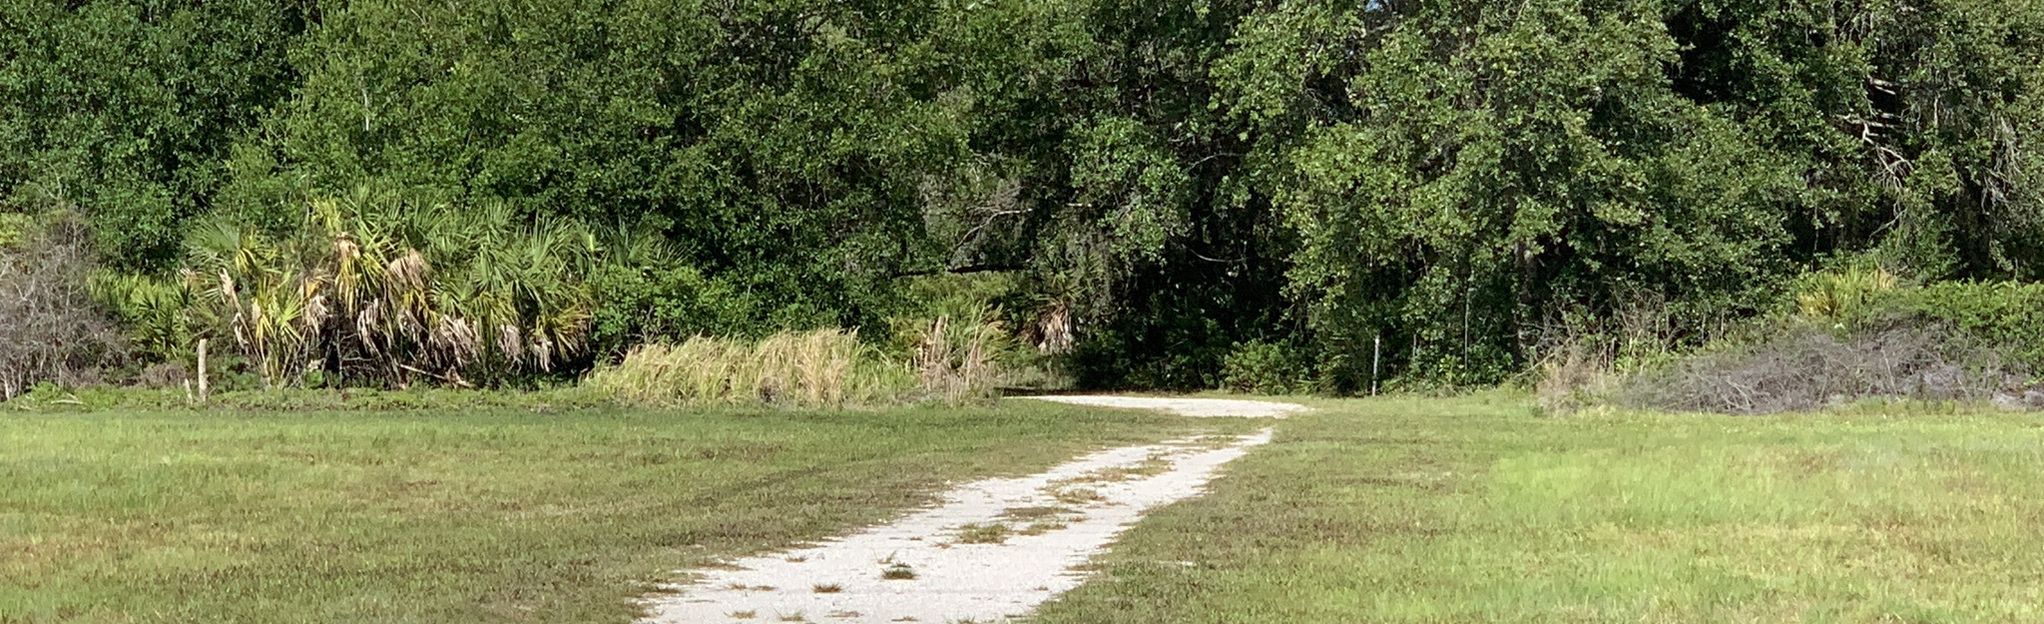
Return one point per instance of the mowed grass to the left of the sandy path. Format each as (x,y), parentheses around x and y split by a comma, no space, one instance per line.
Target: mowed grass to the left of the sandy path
(463,517)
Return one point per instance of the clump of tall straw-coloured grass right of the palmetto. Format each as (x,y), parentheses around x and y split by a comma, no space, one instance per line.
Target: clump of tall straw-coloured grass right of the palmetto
(790,369)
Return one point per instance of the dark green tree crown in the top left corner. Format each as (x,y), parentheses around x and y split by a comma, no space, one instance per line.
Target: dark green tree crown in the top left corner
(124,112)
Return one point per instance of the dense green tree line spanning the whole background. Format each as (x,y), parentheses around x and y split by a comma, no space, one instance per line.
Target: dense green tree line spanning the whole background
(1336,189)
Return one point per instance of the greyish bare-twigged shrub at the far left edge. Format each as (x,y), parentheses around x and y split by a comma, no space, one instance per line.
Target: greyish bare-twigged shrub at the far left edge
(50,330)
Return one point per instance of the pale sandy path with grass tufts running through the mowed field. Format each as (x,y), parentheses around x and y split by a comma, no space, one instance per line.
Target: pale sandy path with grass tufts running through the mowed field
(990,551)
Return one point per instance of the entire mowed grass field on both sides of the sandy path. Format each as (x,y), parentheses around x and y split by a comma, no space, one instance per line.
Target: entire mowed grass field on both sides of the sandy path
(1385,510)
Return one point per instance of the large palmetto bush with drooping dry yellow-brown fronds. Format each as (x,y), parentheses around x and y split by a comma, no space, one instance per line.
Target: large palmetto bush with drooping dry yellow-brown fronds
(379,287)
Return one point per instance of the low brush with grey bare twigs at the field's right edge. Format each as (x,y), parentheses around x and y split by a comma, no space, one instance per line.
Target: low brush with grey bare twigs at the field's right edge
(1841,337)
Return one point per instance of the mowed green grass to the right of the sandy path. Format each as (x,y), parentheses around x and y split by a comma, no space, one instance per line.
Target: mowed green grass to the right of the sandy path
(1481,510)
